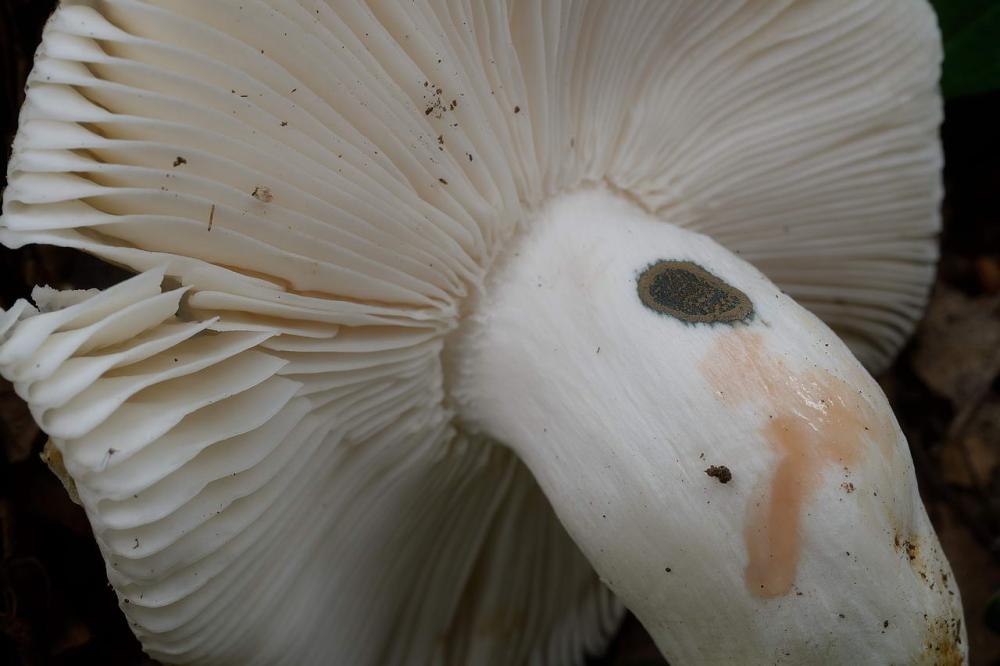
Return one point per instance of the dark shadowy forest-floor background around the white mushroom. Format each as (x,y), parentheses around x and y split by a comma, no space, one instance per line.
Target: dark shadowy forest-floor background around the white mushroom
(55,603)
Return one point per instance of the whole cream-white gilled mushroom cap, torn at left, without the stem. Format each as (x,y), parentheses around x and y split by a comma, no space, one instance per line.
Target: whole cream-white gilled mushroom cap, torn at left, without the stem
(322,186)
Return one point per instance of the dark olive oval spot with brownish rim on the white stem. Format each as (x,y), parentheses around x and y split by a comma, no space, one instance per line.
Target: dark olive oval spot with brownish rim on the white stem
(686,291)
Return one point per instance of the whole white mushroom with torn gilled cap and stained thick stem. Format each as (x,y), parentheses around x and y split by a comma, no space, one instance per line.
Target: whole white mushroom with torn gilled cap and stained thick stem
(458,327)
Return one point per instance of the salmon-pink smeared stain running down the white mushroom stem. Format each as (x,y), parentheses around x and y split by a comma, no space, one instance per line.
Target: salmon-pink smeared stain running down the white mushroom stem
(813,420)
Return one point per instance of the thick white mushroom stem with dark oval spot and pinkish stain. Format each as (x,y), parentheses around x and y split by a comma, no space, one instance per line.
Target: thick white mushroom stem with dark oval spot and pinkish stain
(721,458)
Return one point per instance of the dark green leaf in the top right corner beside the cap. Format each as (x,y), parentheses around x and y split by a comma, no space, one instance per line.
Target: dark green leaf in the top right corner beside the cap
(971,33)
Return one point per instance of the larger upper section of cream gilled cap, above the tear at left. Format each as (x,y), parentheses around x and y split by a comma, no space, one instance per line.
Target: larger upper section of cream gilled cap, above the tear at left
(800,136)
